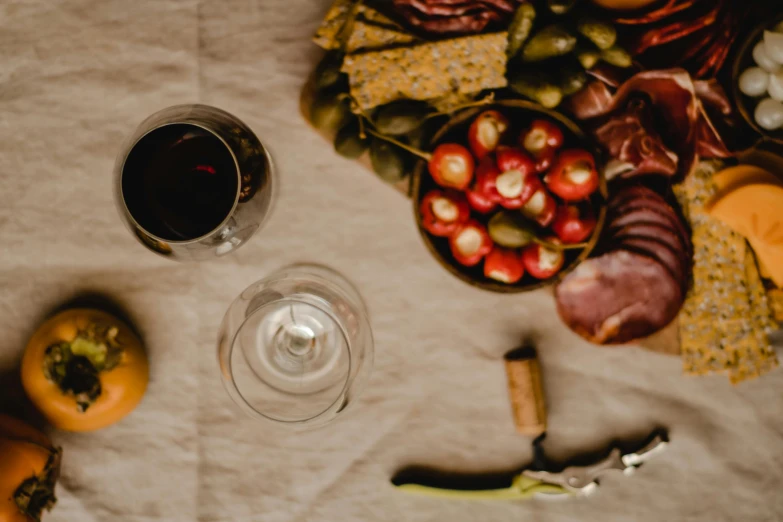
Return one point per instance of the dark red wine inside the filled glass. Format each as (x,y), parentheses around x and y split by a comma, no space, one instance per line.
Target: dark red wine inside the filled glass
(180,182)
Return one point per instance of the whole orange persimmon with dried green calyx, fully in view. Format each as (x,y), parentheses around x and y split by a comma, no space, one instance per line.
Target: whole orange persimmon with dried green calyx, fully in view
(84,370)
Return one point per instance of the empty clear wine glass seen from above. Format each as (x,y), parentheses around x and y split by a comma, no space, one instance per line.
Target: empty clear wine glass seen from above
(296,347)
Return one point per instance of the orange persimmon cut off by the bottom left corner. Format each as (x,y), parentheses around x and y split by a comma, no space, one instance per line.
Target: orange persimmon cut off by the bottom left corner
(29,467)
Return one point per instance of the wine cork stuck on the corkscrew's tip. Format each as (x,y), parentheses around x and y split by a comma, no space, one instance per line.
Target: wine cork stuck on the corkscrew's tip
(526,391)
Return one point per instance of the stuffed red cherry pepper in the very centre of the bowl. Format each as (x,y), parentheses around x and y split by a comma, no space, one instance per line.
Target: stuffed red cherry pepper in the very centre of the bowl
(517,180)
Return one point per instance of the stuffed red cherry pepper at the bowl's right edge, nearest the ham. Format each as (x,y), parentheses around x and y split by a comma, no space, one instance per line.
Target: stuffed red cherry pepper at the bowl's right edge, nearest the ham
(573,177)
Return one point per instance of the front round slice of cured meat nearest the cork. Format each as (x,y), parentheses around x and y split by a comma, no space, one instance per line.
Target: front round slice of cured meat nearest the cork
(618,297)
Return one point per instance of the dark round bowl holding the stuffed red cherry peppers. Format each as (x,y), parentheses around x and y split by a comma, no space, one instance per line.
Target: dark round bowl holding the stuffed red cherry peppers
(520,114)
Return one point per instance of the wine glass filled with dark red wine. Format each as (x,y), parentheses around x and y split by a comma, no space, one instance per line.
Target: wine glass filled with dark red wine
(193,182)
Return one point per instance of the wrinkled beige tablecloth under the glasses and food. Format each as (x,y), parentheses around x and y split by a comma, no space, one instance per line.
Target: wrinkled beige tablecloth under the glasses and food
(77,76)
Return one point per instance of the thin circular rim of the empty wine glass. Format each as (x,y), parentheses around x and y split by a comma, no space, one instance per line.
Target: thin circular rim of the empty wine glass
(245,404)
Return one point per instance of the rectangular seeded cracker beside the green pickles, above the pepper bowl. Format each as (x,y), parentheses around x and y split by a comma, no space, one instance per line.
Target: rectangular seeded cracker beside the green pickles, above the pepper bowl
(429,70)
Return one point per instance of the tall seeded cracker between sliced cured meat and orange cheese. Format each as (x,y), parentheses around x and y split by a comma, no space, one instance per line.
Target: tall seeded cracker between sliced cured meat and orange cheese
(720,326)
